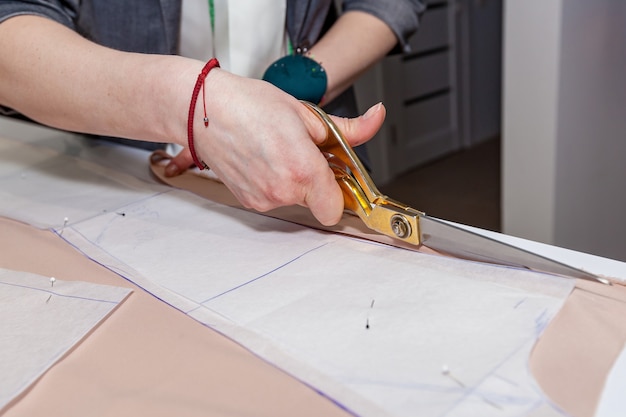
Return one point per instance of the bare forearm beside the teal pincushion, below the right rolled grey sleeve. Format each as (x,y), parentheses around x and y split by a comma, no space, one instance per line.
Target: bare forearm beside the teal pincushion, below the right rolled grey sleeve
(354,43)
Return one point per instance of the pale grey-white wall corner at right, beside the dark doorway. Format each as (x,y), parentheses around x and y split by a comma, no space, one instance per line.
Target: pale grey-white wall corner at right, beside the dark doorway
(564,118)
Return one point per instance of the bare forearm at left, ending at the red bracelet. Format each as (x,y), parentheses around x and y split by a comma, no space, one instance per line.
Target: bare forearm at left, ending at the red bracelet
(60,79)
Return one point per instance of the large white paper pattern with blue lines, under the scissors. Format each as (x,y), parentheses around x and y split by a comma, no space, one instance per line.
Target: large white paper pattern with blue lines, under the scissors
(371,326)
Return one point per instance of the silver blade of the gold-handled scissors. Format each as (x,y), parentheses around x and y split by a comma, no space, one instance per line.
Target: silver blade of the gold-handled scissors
(462,243)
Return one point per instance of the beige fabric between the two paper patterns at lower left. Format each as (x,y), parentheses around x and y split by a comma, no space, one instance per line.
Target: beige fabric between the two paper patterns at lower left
(147,359)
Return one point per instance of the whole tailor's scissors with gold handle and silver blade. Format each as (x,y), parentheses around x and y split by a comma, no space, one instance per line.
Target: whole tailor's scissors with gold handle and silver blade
(400,221)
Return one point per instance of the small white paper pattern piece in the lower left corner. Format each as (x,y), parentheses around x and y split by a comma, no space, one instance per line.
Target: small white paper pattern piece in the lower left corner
(42,321)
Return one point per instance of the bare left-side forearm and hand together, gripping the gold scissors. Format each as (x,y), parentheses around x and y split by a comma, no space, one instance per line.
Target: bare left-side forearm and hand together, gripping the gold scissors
(260,141)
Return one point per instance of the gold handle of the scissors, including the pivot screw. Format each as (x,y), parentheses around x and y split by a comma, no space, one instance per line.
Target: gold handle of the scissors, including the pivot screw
(360,195)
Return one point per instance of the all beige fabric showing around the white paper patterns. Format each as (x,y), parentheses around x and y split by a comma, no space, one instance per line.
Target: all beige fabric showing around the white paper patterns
(149,359)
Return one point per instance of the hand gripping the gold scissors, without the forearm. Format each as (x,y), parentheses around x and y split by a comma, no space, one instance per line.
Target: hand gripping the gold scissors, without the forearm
(261,143)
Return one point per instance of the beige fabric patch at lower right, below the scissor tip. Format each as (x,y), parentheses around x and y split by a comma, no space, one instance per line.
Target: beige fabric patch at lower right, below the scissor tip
(572,359)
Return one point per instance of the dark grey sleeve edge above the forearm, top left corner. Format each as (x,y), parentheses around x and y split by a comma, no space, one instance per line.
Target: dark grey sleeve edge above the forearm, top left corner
(60,11)
